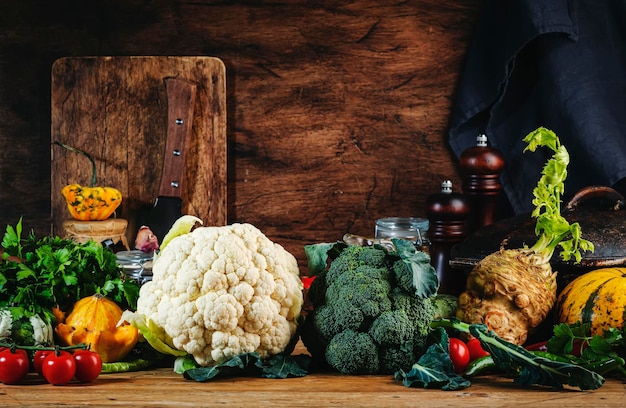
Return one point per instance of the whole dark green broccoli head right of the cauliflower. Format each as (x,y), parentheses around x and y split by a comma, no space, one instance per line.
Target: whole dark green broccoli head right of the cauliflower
(367,317)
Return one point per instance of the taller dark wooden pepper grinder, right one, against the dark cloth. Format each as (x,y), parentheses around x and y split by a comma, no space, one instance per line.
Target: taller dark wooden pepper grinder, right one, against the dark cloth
(481,166)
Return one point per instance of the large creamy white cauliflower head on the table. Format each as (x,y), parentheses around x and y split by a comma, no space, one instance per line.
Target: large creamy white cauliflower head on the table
(222,291)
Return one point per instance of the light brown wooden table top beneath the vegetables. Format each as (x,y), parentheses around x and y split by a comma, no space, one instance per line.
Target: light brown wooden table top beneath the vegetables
(164,388)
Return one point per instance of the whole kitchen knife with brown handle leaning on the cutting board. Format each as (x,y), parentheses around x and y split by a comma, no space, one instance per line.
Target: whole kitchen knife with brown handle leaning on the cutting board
(181,96)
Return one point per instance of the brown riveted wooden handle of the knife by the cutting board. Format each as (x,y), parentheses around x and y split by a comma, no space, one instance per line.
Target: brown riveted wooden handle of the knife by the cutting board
(181,97)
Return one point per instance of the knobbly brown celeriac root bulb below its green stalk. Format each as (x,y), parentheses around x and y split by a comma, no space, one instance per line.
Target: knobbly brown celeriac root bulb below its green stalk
(511,291)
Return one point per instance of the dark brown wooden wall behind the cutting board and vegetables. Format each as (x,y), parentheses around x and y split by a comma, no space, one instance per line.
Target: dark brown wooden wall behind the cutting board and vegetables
(336,110)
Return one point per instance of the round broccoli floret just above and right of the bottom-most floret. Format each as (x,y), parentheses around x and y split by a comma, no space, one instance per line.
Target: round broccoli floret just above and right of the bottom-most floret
(392,327)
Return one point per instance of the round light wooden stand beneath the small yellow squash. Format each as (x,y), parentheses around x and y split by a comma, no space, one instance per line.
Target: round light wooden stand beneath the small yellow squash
(99,231)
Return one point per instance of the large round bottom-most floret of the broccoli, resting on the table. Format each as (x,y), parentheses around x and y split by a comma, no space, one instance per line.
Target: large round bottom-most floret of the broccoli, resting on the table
(352,352)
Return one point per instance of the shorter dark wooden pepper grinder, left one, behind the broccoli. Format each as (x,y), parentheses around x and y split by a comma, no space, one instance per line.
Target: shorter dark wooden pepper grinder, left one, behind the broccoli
(447,212)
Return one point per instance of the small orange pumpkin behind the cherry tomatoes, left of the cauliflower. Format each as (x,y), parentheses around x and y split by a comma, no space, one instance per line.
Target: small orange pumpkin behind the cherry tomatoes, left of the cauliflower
(93,321)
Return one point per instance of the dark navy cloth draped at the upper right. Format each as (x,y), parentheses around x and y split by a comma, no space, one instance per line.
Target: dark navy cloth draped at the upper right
(558,64)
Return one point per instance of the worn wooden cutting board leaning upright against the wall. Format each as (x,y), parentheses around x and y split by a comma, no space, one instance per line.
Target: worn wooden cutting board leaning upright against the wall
(115,108)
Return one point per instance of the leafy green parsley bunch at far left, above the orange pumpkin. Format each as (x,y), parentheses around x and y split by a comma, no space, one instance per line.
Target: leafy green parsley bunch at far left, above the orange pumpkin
(39,274)
